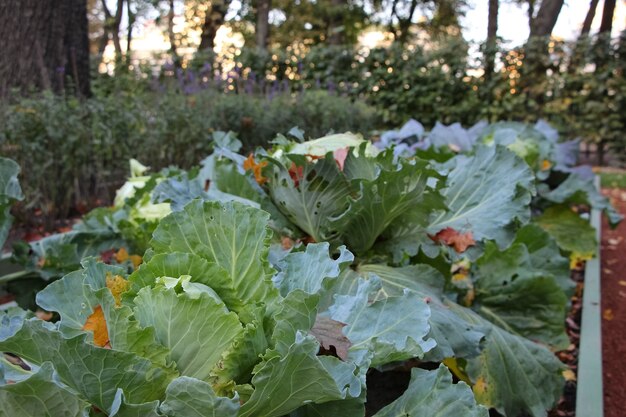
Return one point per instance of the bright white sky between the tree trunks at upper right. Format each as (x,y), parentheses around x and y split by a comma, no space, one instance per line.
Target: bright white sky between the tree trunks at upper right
(513,20)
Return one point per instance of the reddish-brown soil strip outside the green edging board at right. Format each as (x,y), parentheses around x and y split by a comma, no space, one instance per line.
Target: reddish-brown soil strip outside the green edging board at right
(613,254)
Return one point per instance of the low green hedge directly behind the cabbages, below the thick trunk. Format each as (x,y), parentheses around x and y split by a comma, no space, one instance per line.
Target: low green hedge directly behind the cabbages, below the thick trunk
(75,153)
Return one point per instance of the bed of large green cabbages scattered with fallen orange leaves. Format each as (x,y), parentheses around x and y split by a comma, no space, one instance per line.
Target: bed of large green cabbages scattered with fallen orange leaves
(271,283)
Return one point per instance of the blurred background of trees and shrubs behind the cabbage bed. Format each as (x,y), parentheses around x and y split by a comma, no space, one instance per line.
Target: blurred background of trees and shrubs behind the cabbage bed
(260,67)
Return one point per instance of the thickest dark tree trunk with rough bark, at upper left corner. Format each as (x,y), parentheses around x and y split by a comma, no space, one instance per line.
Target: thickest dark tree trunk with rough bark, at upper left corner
(43,42)
